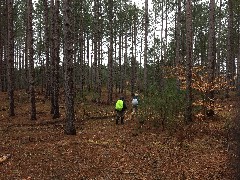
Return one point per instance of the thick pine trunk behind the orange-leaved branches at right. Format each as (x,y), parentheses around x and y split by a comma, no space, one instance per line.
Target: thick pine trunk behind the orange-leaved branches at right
(211,58)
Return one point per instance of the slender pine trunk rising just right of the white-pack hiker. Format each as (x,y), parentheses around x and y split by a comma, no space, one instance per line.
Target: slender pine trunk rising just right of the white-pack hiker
(146,21)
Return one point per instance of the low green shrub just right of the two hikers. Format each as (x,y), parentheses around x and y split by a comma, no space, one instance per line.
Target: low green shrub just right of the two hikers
(164,106)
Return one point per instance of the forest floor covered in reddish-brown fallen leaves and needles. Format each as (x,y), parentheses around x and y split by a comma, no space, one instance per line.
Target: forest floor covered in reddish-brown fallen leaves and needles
(206,149)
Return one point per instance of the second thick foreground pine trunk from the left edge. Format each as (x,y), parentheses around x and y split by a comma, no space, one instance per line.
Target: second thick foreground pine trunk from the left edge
(31,62)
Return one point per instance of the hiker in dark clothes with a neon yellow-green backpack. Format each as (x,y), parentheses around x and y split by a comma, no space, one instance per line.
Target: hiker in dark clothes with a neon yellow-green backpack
(120,109)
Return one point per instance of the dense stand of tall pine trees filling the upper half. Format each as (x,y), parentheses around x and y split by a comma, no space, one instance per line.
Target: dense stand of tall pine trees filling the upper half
(111,43)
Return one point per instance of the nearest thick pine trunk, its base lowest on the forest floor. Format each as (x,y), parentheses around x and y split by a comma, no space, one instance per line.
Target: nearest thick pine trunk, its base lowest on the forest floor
(68,64)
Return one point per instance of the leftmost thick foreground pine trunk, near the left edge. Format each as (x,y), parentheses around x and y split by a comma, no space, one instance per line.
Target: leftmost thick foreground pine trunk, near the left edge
(10,63)
